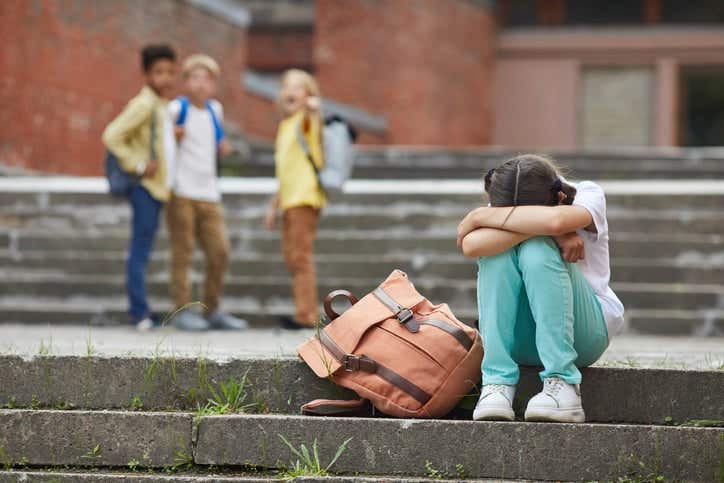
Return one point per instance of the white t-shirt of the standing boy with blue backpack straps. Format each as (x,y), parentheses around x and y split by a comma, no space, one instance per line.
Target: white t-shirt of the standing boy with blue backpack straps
(195,175)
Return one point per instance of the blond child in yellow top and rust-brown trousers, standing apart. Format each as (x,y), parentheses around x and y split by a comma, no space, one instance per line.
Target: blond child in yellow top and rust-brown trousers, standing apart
(299,196)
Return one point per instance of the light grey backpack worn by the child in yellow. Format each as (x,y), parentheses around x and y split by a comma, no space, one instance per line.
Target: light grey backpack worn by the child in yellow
(337,139)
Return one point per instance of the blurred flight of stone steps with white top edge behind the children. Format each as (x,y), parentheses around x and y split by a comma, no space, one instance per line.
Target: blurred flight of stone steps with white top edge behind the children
(62,246)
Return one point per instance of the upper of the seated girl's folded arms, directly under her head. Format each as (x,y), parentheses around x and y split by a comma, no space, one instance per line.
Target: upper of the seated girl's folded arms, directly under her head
(533,220)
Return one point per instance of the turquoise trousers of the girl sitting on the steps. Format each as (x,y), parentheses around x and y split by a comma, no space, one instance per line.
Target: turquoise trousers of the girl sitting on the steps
(535,309)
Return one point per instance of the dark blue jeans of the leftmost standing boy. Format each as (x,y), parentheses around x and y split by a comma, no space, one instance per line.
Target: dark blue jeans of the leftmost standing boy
(145,210)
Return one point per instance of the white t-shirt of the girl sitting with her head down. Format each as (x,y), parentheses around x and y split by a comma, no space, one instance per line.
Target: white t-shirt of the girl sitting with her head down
(595,266)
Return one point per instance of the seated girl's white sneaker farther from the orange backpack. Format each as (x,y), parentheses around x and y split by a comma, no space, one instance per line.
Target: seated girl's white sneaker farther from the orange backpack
(558,402)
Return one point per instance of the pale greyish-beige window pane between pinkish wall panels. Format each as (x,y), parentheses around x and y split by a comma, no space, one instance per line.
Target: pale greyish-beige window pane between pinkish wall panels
(616,106)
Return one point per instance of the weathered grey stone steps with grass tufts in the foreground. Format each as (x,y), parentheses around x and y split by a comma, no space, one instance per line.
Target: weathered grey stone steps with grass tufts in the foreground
(94,418)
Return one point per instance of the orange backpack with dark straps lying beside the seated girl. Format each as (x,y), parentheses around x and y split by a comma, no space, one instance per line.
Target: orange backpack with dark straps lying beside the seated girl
(410,358)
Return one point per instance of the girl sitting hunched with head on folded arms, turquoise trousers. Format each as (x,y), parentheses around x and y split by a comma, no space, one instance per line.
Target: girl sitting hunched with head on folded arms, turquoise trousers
(543,293)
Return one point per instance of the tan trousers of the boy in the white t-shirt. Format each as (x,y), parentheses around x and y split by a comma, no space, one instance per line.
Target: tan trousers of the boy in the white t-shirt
(190,220)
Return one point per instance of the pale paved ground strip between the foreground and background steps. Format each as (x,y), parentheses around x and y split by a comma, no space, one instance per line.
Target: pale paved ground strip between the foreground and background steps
(628,350)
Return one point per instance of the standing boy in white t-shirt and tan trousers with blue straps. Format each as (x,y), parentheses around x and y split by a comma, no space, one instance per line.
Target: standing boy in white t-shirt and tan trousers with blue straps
(194,211)
